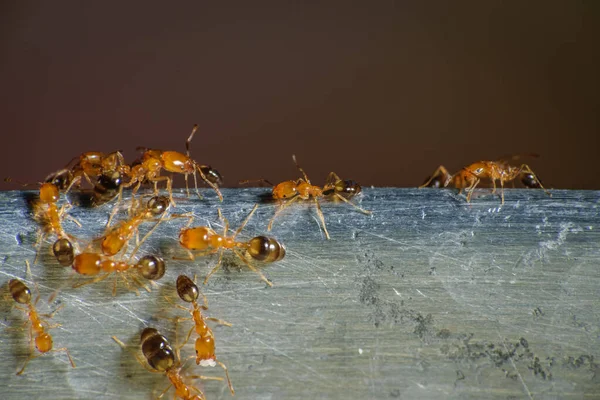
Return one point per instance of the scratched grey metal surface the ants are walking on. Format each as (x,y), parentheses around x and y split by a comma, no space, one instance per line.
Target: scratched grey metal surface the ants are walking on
(427,298)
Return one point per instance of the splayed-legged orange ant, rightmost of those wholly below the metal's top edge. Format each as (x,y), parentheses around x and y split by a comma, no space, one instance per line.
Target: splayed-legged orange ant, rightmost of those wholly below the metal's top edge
(204,238)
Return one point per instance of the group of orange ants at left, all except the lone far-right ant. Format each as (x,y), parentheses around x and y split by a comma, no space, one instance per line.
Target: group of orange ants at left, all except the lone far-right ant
(103,178)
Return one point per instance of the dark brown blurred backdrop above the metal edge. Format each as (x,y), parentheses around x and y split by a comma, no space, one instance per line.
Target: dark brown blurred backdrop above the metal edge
(380,92)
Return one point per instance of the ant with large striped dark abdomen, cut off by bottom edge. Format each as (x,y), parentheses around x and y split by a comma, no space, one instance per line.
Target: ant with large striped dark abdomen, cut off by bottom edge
(160,358)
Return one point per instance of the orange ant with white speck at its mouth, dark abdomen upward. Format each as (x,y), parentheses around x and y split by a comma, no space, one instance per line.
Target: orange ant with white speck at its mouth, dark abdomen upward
(188,291)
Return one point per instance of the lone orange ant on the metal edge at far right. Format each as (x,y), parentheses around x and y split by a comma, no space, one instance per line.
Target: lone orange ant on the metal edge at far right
(469,177)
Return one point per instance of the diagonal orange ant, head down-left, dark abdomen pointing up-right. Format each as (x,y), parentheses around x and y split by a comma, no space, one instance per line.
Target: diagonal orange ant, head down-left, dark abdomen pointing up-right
(116,238)
